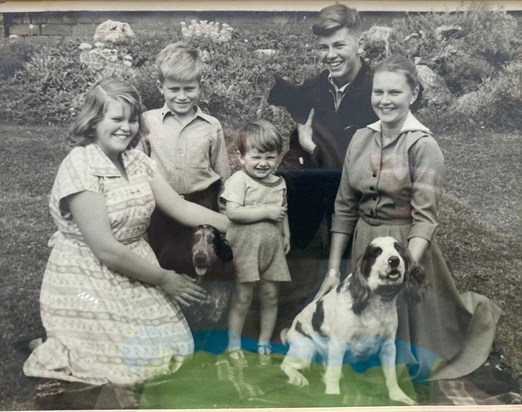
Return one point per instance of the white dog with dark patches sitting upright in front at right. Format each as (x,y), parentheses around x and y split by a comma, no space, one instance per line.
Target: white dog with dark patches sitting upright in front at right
(358,317)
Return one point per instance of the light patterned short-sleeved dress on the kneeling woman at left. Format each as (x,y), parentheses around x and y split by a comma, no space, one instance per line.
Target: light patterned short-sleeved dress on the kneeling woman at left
(102,326)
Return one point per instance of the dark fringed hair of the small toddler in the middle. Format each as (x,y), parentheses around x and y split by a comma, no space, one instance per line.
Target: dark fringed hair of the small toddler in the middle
(261,135)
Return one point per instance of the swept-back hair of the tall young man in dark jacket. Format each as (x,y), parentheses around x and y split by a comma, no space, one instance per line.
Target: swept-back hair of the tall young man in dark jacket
(335,17)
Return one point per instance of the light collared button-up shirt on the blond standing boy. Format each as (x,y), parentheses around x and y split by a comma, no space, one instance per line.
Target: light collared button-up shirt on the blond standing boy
(191,156)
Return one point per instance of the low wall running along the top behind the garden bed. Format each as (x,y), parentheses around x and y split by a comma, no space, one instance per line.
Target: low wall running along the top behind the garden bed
(82,24)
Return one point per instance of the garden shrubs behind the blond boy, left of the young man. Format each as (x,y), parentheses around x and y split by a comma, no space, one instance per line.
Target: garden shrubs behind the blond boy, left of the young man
(235,85)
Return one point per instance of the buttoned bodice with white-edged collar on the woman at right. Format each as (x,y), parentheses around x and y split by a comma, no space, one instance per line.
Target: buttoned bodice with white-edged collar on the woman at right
(399,183)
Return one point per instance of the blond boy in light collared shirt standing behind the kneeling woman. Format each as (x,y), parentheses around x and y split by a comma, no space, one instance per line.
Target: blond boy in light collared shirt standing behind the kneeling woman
(187,144)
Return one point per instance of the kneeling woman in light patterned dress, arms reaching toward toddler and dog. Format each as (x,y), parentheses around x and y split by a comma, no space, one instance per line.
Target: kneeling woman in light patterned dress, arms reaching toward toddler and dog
(111,312)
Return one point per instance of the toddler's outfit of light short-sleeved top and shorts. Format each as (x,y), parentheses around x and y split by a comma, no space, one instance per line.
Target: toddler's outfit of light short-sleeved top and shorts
(258,247)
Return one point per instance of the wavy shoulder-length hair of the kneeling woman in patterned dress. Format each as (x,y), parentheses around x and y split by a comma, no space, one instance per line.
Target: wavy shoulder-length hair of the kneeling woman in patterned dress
(93,110)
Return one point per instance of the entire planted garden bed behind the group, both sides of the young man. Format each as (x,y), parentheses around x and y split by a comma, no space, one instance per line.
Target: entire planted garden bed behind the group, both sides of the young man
(476,51)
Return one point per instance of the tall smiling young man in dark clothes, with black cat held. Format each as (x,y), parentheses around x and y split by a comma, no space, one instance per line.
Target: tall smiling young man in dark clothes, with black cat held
(328,109)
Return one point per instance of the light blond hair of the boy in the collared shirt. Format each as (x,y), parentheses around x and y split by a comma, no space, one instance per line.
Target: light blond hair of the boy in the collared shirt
(179,61)
